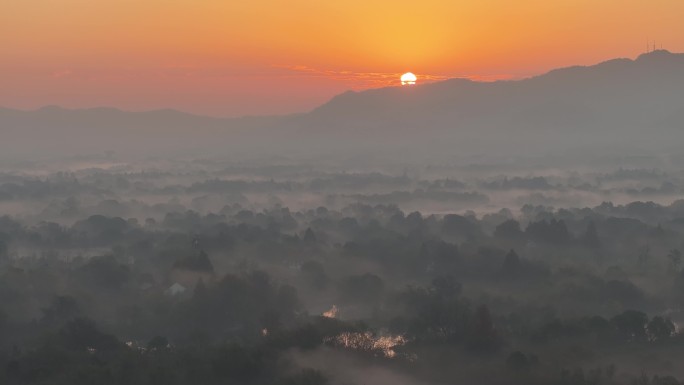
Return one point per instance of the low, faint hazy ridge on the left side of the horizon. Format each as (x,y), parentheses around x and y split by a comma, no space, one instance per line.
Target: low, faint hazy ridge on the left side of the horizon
(61,131)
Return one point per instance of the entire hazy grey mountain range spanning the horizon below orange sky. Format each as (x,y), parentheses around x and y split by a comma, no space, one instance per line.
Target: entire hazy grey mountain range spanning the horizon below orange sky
(621,102)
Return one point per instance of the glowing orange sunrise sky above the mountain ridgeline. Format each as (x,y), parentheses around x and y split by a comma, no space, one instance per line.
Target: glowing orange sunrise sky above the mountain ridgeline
(245,57)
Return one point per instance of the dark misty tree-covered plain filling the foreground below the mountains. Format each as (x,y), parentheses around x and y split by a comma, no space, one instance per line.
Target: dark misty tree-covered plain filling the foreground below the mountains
(295,275)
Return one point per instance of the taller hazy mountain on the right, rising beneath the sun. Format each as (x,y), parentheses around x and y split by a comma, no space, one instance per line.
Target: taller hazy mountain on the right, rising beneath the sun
(615,102)
